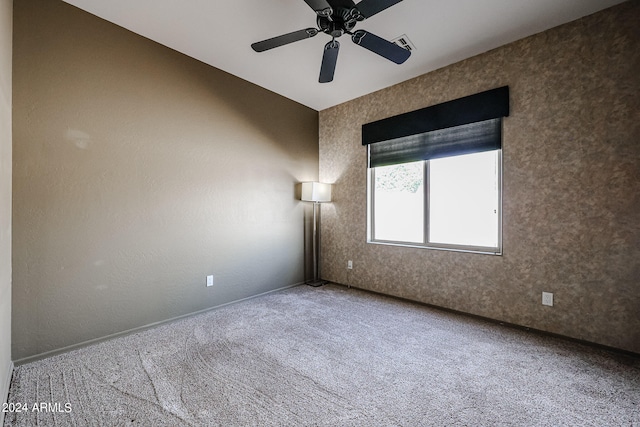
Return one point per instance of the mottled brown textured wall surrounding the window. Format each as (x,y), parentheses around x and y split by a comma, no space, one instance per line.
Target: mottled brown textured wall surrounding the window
(571,186)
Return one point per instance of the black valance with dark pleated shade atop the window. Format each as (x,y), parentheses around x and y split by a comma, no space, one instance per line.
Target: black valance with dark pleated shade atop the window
(466,125)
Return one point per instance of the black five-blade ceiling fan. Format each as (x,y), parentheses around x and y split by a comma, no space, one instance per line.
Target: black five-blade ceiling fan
(335,18)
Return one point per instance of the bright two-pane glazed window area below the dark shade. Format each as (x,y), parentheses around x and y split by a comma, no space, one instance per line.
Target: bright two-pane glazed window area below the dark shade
(445,203)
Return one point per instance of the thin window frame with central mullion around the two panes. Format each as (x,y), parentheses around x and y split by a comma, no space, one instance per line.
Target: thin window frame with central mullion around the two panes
(425,243)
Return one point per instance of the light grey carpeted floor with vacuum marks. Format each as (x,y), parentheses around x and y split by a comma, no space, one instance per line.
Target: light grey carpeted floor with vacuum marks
(330,356)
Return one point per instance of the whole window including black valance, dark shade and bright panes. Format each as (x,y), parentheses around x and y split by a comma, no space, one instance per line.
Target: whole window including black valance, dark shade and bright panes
(435,175)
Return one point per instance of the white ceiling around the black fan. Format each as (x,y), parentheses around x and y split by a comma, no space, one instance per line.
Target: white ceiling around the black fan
(220,33)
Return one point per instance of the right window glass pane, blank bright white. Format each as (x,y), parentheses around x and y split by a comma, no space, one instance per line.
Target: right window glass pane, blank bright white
(464,199)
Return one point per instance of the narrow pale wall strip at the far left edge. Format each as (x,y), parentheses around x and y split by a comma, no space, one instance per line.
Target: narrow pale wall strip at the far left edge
(6,13)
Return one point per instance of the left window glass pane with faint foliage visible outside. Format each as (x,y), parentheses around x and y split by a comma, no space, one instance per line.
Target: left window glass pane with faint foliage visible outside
(399,203)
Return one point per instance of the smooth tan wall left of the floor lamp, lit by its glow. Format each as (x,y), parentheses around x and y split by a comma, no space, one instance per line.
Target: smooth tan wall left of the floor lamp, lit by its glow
(137,172)
